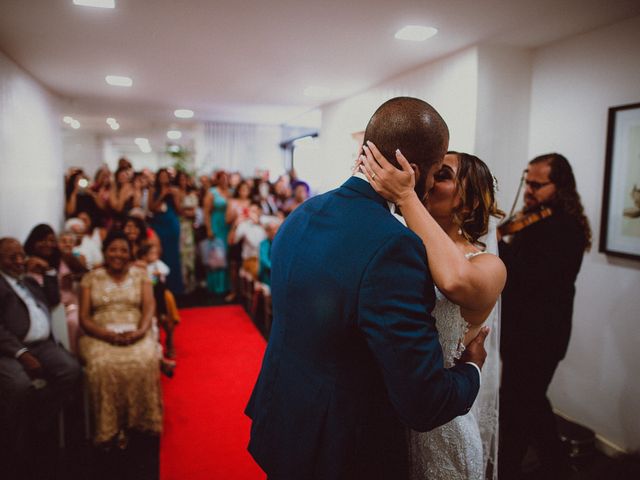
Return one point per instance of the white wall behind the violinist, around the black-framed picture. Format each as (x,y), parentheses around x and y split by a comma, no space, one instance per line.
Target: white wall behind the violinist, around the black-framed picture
(574,83)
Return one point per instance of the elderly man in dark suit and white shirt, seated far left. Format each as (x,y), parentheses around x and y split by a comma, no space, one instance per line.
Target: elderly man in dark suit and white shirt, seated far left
(36,374)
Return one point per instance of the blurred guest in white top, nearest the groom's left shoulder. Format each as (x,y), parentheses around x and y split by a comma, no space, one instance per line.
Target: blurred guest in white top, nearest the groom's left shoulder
(248,232)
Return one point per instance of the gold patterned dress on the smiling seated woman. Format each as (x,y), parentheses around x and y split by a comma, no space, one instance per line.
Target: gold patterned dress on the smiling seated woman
(124,381)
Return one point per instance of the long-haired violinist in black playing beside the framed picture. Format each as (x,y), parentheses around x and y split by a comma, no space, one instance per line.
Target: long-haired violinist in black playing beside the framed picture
(542,248)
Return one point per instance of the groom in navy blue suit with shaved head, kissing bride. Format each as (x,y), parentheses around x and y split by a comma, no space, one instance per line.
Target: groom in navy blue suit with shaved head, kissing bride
(353,357)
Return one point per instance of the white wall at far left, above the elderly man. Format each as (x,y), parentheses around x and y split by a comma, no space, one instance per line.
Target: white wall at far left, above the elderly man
(31,167)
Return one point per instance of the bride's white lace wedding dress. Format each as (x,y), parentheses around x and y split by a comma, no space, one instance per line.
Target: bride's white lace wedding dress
(461,448)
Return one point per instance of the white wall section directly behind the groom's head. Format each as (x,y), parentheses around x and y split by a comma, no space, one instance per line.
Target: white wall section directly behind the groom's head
(449,84)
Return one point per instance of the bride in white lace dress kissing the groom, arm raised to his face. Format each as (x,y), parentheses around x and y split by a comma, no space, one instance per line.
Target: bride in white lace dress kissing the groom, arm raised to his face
(458,230)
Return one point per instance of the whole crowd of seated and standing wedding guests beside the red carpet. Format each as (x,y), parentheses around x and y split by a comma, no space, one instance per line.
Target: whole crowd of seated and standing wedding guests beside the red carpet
(133,245)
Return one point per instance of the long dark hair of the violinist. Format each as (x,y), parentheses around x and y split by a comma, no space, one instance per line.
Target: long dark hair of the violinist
(566,197)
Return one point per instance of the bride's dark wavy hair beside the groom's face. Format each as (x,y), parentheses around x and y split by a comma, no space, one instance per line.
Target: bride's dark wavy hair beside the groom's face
(475,186)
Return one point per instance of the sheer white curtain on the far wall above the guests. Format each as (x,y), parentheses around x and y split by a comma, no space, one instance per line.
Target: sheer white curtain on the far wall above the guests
(241,147)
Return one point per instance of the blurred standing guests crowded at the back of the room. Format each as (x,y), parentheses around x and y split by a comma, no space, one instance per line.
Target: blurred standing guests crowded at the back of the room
(195,224)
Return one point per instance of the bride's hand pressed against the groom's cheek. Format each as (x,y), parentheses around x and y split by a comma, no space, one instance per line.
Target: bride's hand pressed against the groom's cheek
(392,183)
